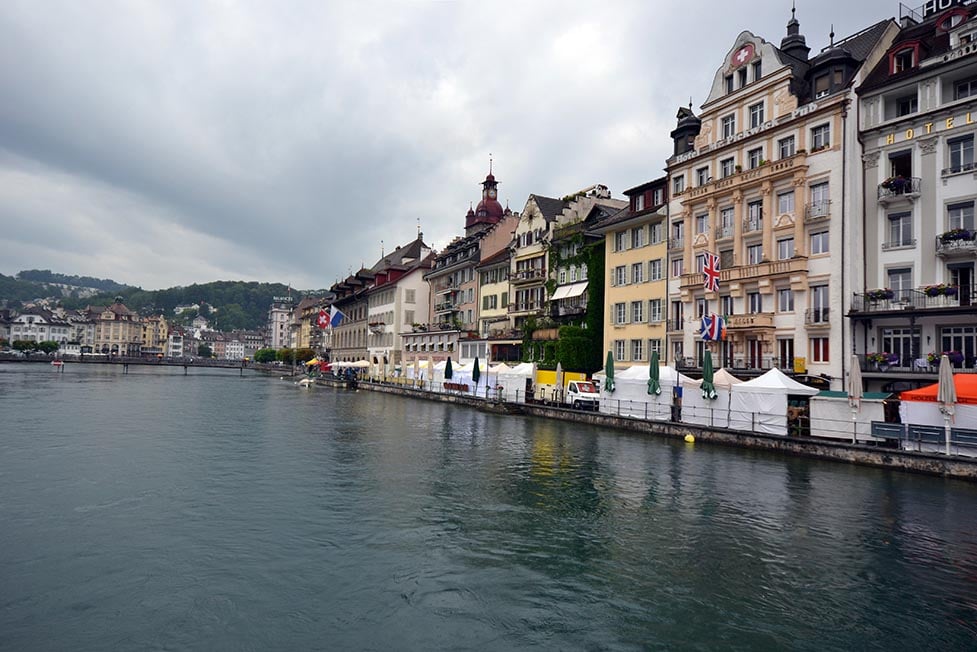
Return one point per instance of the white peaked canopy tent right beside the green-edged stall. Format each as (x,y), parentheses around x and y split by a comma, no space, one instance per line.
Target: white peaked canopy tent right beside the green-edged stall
(760,405)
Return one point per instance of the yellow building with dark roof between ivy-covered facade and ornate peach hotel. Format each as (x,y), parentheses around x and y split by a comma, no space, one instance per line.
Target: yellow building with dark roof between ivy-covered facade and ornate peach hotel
(635,294)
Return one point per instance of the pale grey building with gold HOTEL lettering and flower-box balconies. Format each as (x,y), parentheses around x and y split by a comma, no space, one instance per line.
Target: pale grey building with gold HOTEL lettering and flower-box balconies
(914,286)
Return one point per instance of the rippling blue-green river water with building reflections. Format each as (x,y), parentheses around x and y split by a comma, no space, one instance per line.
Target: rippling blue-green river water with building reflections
(157,510)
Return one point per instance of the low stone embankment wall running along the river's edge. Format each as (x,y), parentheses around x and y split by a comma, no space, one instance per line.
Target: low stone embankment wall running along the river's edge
(961,468)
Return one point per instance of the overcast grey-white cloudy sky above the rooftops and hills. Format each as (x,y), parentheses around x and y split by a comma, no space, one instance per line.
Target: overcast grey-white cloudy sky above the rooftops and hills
(166,143)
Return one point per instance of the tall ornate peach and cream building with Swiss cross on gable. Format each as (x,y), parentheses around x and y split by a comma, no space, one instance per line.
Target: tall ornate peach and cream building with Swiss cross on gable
(761,178)
